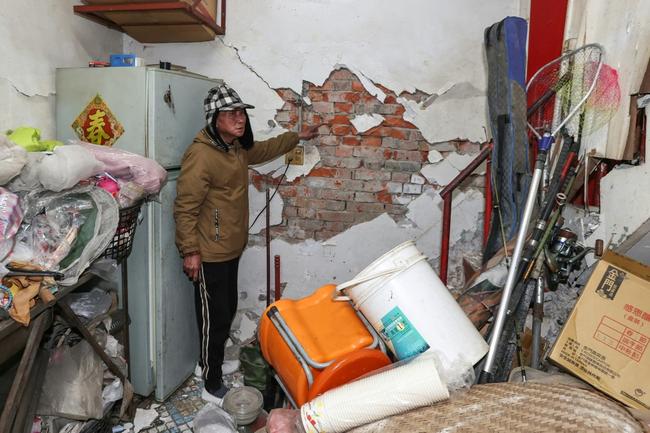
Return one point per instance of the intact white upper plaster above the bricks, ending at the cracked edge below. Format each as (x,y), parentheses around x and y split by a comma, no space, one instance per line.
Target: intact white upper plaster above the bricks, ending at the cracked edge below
(299,35)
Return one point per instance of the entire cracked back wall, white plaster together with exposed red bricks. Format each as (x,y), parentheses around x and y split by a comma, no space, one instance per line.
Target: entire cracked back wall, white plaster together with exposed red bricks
(422,60)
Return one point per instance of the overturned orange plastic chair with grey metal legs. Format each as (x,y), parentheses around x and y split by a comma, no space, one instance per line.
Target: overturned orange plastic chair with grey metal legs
(315,344)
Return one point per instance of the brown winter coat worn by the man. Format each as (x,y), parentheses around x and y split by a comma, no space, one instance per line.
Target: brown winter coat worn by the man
(211,207)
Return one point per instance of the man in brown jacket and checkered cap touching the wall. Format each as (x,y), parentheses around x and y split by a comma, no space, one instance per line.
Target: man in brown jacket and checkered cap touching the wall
(211,213)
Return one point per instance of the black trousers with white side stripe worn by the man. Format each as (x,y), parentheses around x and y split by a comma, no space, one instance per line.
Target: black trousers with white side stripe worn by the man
(216,304)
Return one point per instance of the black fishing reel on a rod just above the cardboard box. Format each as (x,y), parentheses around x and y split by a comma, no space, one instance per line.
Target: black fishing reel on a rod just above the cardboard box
(564,254)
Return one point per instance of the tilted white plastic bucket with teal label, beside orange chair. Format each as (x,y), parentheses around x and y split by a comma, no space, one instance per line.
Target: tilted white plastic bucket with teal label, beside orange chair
(413,311)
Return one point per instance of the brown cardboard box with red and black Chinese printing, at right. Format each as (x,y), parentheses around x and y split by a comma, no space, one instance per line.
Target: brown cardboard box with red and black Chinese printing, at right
(605,340)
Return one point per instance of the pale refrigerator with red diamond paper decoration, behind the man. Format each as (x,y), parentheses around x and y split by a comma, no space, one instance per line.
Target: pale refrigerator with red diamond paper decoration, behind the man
(158,113)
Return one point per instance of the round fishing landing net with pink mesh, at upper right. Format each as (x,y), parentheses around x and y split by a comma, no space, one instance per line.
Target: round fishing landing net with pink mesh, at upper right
(575,92)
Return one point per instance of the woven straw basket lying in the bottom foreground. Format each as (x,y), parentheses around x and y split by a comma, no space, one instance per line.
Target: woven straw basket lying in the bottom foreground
(512,407)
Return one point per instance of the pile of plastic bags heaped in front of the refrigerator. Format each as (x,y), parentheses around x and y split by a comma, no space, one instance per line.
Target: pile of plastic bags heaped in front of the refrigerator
(59,204)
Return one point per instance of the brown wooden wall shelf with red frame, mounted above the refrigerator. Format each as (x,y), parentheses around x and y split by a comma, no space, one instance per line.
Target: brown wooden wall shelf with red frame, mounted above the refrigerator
(161,25)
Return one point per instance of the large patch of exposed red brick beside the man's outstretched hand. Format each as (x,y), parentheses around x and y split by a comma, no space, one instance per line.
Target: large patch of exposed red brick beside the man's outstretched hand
(358,173)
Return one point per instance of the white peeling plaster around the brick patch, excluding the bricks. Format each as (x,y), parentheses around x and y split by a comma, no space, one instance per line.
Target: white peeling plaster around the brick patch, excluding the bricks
(428,53)
